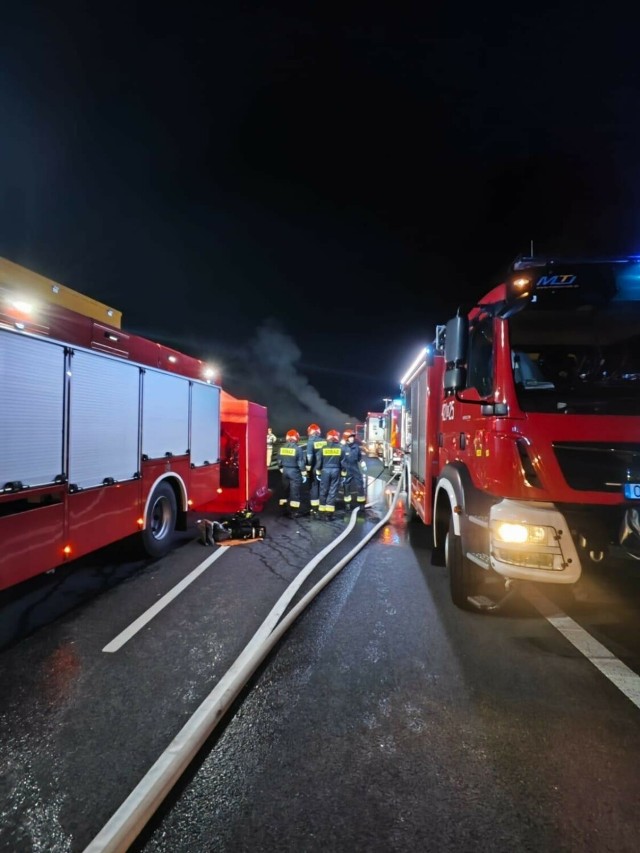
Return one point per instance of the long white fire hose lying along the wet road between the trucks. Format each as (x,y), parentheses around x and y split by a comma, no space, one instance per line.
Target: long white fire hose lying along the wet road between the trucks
(128,821)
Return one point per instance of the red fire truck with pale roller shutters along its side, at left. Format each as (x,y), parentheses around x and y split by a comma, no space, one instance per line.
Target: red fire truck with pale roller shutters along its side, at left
(105,433)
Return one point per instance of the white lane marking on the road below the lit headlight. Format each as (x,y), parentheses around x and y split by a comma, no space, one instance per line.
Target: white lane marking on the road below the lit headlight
(618,673)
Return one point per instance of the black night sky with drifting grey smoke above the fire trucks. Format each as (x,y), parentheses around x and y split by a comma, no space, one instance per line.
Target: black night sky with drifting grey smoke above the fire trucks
(299,192)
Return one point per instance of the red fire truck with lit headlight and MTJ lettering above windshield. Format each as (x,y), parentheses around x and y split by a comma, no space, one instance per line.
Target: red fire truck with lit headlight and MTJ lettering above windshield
(523,428)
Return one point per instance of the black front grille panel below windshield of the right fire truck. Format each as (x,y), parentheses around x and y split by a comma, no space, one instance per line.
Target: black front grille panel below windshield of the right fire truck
(592,466)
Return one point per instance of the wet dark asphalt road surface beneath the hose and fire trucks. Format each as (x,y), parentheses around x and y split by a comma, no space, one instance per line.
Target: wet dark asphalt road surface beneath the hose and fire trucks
(384,720)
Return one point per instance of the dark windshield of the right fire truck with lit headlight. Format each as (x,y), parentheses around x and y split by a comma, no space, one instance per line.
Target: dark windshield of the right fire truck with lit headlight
(585,361)
